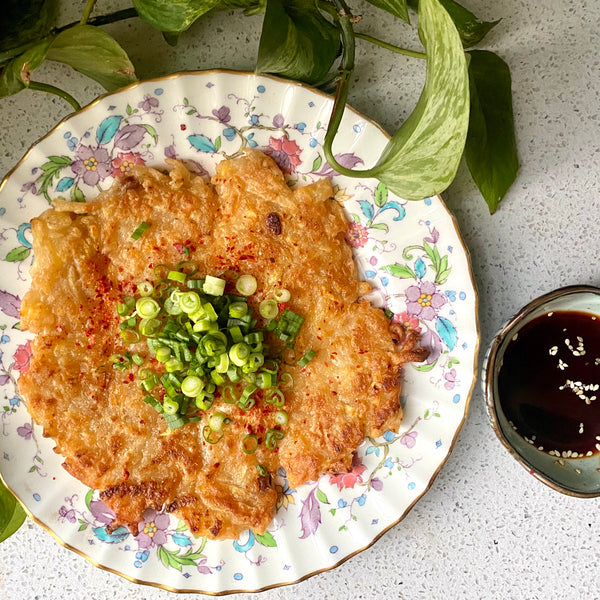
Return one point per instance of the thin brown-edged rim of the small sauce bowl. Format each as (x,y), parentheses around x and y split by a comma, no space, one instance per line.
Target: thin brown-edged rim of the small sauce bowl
(488,381)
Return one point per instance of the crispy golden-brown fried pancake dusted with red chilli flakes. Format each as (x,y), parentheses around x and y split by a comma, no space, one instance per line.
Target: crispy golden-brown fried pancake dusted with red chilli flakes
(246,221)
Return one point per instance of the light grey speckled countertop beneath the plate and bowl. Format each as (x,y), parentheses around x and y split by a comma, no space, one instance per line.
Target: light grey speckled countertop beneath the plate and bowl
(485,529)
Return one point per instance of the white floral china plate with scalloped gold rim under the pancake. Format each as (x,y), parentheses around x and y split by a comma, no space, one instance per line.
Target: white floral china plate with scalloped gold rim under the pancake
(410,252)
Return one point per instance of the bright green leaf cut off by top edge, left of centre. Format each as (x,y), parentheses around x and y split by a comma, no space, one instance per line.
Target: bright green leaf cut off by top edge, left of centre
(173,16)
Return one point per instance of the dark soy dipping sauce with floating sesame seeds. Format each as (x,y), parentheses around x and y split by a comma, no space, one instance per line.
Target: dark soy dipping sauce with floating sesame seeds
(549,380)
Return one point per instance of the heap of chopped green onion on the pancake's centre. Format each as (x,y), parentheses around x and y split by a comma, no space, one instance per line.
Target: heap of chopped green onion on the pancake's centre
(207,349)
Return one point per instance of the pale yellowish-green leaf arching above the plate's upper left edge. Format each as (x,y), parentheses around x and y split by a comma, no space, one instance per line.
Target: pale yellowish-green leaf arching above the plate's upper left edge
(93,52)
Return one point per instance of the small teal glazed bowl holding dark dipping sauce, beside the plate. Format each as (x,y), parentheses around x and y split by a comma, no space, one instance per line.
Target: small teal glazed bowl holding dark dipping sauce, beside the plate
(569,472)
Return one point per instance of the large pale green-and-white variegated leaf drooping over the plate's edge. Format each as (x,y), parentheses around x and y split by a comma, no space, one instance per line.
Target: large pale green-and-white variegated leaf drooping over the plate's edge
(422,158)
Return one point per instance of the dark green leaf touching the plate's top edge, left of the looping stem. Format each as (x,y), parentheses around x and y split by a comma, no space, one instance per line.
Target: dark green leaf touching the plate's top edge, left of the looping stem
(297,41)
